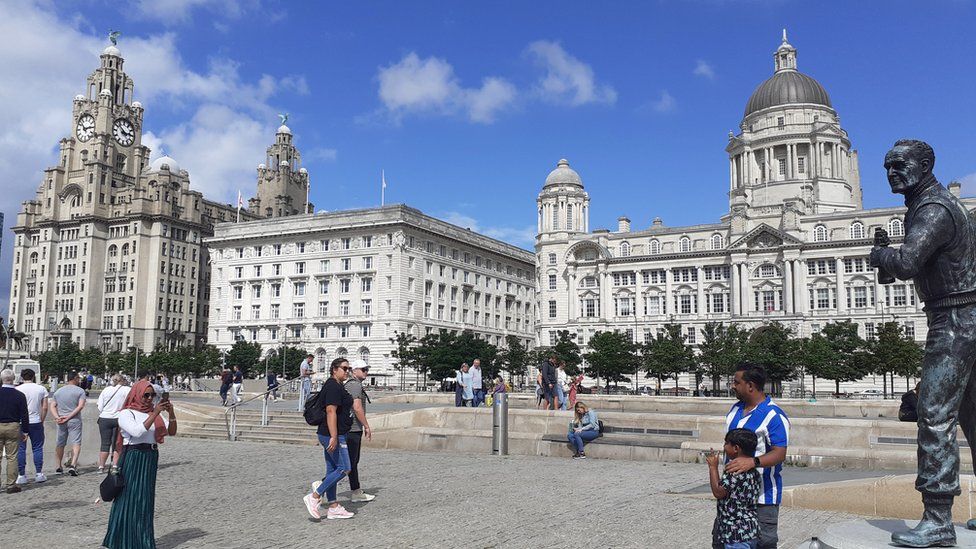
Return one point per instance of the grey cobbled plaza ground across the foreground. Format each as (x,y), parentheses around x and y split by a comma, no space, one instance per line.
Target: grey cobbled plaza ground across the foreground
(223,494)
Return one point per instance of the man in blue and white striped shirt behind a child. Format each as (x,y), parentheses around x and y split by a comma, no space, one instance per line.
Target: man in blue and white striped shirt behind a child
(757,412)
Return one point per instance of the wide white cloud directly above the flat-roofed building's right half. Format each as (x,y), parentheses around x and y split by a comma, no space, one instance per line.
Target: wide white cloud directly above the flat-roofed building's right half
(429,86)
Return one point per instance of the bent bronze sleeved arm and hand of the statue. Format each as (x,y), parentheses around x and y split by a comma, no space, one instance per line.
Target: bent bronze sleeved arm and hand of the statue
(931,229)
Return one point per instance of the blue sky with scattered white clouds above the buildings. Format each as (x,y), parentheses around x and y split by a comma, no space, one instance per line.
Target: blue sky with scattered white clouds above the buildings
(467,106)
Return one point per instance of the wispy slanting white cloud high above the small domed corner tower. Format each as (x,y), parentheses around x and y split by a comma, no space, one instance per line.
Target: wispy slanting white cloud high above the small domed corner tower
(567,80)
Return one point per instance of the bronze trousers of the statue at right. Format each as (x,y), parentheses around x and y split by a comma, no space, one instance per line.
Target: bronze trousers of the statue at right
(946,399)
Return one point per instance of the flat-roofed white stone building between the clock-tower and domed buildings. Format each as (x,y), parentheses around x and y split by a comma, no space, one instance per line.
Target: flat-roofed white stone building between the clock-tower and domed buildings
(343,283)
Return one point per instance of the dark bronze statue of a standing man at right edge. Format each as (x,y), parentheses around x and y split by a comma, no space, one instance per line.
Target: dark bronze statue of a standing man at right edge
(939,254)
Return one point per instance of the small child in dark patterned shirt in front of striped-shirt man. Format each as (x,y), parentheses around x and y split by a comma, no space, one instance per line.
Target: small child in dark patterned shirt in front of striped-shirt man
(737,494)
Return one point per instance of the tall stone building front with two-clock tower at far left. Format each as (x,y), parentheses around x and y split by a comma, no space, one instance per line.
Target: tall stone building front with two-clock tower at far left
(109,252)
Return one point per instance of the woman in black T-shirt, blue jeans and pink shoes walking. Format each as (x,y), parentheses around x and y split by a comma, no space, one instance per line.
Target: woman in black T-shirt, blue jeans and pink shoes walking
(332,436)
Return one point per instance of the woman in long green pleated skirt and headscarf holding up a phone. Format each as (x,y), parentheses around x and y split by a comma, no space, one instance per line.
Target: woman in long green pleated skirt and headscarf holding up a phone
(141,429)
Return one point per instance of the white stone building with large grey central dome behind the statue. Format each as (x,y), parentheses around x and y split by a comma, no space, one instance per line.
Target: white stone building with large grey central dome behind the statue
(793,247)
